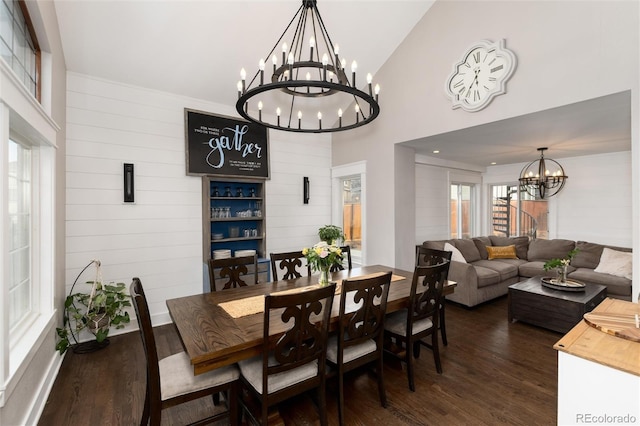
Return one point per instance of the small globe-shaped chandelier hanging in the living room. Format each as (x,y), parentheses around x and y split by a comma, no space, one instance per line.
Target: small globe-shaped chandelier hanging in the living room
(539,181)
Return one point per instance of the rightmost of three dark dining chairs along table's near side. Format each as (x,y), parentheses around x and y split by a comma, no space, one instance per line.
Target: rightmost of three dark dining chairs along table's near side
(405,329)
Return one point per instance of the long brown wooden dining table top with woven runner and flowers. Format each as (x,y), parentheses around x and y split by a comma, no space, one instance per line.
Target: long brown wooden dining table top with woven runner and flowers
(212,338)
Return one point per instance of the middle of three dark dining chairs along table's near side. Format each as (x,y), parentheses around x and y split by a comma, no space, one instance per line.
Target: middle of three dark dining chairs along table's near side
(363,304)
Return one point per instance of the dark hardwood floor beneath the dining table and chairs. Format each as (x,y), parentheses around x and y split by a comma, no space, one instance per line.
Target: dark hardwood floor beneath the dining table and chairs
(494,372)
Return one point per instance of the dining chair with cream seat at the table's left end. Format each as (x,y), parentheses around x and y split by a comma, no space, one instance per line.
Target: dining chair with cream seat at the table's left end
(171,381)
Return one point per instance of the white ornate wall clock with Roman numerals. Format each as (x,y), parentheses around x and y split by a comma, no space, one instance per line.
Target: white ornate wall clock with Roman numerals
(481,75)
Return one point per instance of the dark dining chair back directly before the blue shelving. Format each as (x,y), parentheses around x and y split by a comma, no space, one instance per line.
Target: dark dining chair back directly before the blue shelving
(235,270)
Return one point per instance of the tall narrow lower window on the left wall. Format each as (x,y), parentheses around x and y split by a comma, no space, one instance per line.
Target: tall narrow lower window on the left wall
(19,247)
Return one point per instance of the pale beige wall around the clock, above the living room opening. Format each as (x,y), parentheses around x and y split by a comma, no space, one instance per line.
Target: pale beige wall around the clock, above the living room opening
(566,51)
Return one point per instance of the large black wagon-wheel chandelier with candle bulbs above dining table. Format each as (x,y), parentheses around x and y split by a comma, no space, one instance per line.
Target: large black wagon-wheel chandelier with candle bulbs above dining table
(304,89)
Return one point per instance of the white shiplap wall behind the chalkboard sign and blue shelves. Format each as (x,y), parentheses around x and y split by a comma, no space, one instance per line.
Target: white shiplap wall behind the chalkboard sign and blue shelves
(159,237)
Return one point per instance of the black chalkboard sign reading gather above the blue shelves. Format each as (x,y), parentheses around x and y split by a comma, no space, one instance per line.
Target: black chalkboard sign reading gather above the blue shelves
(225,146)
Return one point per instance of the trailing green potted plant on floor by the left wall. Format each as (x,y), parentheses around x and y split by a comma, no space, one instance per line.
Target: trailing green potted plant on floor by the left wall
(97,311)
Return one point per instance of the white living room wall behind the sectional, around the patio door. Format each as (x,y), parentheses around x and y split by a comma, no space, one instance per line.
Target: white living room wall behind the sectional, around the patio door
(595,203)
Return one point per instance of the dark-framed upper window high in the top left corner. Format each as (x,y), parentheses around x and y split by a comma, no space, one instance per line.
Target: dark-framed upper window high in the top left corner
(18,44)
